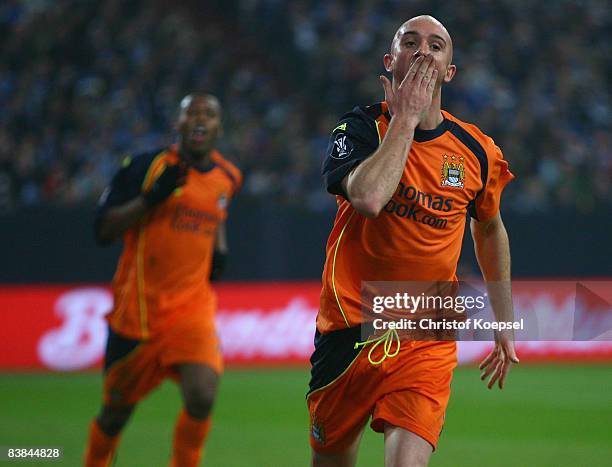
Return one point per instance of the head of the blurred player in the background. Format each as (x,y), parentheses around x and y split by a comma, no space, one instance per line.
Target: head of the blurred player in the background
(199,123)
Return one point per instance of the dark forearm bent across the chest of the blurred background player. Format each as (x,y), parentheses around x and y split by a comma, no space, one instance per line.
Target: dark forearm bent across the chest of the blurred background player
(117,220)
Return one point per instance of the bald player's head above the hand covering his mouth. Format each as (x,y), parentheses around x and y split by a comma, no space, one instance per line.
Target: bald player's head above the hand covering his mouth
(421,36)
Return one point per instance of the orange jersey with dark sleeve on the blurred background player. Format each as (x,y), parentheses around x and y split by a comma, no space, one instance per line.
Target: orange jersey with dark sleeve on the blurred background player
(167,256)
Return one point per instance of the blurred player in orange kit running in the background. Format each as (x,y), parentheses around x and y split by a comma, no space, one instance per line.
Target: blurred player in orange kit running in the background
(169,206)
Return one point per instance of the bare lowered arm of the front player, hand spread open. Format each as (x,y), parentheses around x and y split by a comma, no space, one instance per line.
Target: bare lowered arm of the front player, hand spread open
(493,255)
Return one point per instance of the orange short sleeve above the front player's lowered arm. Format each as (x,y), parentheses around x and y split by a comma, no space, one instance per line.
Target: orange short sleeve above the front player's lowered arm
(486,204)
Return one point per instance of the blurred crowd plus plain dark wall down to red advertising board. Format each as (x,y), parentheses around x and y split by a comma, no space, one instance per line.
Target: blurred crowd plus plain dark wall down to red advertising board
(83,83)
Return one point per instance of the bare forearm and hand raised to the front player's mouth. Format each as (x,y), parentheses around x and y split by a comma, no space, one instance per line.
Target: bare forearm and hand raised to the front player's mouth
(371,184)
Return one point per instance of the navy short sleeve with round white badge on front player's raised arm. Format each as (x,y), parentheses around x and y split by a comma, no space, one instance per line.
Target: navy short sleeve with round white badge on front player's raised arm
(353,140)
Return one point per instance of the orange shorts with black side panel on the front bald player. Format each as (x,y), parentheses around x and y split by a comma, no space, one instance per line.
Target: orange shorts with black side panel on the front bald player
(410,391)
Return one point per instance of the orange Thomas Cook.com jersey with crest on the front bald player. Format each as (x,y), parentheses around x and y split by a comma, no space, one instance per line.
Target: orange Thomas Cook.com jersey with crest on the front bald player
(451,170)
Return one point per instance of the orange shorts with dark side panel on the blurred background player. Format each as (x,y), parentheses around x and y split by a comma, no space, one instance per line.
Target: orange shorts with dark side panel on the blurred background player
(134,368)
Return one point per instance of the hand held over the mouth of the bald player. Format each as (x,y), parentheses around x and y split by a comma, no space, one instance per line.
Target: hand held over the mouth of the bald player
(412,98)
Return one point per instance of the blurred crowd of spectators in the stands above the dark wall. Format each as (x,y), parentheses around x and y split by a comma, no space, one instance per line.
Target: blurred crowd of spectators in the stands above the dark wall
(83,83)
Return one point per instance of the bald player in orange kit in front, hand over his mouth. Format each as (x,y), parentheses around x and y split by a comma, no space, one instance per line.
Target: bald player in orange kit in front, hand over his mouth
(405,173)
